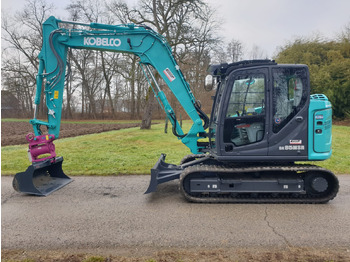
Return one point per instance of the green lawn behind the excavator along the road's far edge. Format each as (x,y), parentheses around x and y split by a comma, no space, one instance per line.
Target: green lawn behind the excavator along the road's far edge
(135,151)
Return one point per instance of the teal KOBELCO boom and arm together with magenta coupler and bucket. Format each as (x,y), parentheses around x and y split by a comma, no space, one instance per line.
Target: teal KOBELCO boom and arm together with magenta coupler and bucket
(152,50)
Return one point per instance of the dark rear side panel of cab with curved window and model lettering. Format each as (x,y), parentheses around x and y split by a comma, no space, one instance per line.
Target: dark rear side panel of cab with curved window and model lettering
(290,94)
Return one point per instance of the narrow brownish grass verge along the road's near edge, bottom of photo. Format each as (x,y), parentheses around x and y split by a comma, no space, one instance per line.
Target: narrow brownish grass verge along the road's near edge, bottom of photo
(258,254)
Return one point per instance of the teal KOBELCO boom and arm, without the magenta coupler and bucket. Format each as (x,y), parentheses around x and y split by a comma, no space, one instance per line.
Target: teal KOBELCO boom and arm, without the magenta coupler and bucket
(152,49)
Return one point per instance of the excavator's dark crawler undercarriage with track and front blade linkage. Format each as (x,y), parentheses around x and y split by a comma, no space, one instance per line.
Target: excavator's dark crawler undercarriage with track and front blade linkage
(204,180)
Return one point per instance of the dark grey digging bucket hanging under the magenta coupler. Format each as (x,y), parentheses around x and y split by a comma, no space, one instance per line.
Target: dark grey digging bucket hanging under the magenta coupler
(41,178)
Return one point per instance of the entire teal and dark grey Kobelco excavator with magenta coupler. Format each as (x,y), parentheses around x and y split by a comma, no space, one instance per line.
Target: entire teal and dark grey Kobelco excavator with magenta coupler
(264,122)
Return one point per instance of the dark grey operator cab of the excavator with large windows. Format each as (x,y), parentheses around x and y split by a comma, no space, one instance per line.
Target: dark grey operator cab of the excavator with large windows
(260,111)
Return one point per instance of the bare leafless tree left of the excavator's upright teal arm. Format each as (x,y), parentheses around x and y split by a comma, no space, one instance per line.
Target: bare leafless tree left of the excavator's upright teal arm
(22,35)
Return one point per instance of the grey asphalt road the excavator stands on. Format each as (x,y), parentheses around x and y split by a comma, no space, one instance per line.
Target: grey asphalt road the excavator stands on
(111,212)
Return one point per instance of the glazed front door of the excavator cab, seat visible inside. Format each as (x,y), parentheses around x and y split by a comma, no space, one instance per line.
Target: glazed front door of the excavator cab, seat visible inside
(244,114)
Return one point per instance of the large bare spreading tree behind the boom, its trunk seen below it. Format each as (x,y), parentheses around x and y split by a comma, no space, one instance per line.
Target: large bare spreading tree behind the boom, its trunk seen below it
(185,24)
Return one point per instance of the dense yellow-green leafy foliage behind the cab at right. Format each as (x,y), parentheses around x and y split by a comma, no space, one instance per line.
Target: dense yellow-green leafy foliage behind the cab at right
(329,63)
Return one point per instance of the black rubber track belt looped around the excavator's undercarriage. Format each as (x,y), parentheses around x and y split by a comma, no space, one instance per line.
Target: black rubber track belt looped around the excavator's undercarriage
(262,197)
